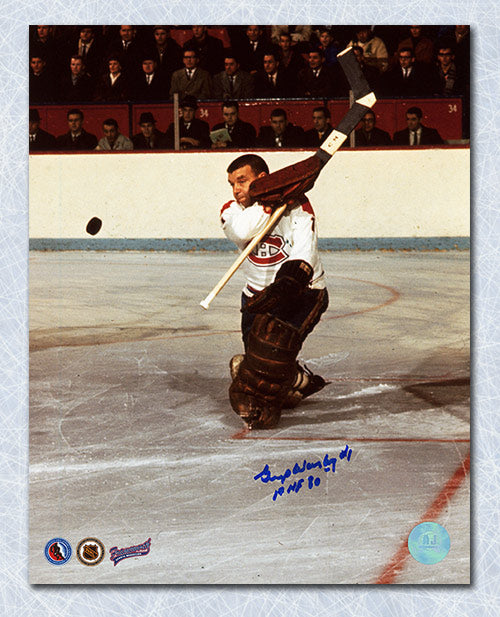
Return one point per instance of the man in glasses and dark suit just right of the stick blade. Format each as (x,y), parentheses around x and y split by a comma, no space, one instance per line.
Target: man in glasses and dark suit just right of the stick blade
(408,78)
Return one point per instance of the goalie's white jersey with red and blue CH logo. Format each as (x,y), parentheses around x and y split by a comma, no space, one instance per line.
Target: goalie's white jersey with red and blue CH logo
(295,236)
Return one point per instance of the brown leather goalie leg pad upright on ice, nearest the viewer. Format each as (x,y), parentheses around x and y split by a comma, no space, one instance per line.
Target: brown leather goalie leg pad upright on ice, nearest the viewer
(267,372)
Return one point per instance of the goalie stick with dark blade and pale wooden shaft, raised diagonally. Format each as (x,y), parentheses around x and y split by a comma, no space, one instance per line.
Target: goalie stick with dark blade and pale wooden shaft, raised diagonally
(286,178)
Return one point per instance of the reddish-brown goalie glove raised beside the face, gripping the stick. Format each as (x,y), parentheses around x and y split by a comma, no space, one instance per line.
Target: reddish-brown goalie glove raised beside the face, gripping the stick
(286,184)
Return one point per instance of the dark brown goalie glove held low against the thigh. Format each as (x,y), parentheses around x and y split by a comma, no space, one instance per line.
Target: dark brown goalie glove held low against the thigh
(291,280)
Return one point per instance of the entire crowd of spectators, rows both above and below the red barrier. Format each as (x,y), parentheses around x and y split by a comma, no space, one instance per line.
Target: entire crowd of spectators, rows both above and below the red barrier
(73,65)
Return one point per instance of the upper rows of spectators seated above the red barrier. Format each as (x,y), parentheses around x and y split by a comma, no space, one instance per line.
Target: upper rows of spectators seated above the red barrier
(71,64)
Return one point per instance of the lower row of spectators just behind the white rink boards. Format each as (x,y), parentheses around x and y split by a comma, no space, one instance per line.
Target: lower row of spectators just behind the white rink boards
(232,132)
